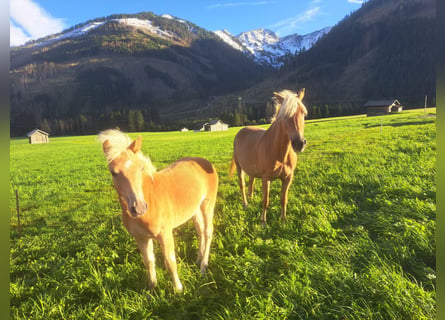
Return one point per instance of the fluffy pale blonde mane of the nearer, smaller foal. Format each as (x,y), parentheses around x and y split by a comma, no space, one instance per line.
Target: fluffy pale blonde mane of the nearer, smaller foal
(119,142)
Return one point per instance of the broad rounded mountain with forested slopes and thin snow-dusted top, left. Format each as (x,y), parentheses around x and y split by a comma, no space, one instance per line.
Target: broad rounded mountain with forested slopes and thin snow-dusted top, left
(96,72)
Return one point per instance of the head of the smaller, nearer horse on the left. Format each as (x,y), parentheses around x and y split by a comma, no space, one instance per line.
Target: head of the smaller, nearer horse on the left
(126,165)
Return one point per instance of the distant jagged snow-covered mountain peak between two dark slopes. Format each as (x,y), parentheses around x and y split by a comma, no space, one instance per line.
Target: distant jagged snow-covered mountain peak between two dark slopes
(267,48)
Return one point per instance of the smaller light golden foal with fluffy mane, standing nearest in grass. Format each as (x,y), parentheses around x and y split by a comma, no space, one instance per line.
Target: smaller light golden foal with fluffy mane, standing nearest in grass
(155,202)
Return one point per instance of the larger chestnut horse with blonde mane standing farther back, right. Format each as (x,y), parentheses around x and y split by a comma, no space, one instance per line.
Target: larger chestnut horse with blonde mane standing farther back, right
(271,154)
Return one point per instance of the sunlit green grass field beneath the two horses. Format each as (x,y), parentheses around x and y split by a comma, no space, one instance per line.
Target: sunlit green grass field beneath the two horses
(359,242)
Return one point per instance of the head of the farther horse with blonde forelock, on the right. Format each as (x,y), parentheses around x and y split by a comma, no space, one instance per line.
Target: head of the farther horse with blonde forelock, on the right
(292,112)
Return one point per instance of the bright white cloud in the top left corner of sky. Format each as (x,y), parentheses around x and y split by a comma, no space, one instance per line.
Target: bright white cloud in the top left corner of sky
(30,21)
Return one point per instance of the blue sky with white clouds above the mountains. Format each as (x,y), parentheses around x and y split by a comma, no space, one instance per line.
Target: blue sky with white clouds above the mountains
(33,19)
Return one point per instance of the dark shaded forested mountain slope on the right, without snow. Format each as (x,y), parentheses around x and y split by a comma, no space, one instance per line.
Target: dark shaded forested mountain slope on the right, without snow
(384,50)
